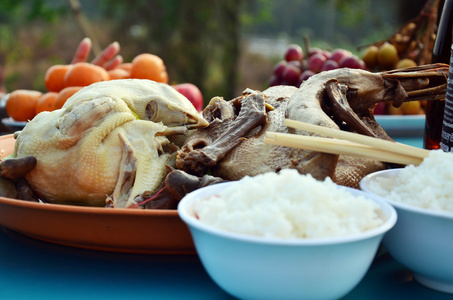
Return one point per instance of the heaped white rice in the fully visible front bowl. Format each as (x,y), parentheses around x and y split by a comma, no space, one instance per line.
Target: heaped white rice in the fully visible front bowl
(288,205)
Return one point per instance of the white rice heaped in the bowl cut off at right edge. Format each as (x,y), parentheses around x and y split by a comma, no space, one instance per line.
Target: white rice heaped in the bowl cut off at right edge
(428,185)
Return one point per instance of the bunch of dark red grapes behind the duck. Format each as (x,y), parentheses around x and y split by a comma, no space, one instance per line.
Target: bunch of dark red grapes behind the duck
(295,68)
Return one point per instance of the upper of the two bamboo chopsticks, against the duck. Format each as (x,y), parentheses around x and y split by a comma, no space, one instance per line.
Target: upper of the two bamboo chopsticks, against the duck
(359,138)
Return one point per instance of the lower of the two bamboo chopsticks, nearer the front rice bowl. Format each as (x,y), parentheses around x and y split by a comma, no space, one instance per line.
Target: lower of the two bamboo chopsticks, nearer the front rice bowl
(335,146)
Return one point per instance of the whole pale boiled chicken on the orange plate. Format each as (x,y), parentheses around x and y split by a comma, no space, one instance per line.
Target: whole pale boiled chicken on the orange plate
(109,144)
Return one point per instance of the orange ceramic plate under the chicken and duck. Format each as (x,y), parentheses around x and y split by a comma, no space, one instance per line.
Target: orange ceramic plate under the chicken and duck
(119,230)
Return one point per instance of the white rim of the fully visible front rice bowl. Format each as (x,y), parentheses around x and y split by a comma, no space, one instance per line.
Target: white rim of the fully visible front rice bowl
(193,222)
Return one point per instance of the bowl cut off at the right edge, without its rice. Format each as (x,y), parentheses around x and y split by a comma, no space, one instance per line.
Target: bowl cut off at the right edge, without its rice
(421,240)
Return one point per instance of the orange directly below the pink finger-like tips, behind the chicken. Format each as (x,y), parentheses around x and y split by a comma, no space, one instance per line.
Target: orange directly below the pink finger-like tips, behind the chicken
(83,74)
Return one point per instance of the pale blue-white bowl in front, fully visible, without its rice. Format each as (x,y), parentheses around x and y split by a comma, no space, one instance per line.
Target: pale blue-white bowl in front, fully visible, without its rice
(250,267)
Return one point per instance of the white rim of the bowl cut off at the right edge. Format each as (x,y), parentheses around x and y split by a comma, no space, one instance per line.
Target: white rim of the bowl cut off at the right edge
(400,205)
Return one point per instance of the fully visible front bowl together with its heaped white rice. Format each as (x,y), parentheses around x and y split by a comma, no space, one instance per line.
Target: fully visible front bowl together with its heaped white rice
(286,235)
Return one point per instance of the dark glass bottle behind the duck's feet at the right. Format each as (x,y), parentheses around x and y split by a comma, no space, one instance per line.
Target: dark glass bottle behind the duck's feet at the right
(441,54)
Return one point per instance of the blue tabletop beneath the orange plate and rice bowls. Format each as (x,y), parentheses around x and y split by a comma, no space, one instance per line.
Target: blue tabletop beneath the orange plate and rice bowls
(32,269)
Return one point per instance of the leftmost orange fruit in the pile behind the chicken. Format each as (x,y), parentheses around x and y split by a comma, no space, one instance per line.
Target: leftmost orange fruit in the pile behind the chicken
(21,104)
